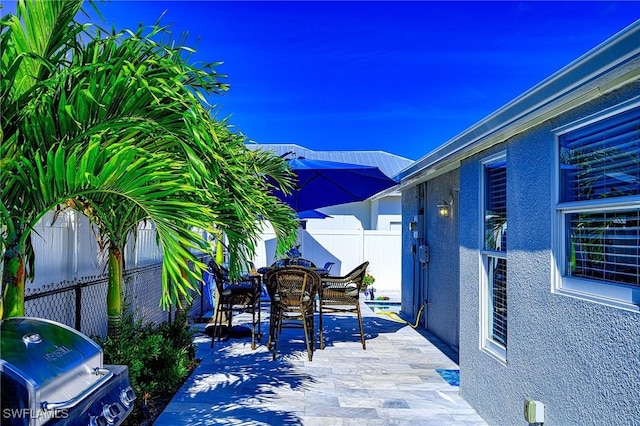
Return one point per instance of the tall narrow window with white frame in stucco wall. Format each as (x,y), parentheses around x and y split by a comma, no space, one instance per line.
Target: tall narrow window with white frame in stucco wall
(494,257)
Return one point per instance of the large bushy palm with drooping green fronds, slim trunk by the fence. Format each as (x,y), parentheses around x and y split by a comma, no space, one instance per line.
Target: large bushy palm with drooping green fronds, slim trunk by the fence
(127,90)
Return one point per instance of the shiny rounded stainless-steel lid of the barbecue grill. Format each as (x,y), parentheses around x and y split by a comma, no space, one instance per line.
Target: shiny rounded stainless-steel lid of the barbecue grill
(39,350)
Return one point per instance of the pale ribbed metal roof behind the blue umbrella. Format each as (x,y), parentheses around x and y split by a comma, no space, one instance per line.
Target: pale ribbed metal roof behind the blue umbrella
(389,164)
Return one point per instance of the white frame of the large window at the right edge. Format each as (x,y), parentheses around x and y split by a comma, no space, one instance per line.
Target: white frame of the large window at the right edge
(607,293)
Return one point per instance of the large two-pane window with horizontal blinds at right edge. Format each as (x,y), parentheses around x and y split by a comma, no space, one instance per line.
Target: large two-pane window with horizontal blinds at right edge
(598,209)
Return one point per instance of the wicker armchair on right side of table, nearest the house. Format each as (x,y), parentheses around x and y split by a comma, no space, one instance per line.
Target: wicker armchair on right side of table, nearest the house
(342,294)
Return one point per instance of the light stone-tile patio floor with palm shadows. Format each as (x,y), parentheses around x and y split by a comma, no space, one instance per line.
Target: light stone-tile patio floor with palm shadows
(393,382)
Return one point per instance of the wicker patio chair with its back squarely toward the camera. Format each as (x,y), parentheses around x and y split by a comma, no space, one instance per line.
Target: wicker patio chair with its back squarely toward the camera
(293,290)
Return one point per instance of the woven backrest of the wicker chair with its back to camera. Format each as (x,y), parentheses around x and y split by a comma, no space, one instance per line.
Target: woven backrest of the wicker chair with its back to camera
(293,285)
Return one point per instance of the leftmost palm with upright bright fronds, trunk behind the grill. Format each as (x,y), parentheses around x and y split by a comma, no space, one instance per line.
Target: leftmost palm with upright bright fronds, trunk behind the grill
(29,56)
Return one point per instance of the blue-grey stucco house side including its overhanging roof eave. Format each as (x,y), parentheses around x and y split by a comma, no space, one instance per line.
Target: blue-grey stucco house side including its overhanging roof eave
(580,358)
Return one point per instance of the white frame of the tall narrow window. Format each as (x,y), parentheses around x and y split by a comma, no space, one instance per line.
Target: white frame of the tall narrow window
(487,344)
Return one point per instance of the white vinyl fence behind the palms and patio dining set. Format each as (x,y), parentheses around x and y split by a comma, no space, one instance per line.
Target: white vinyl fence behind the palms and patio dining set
(70,268)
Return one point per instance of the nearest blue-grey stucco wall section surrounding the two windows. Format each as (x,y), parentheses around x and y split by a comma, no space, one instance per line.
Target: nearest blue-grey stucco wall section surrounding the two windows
(581,359)
